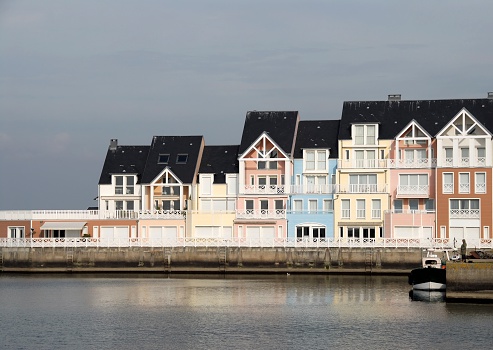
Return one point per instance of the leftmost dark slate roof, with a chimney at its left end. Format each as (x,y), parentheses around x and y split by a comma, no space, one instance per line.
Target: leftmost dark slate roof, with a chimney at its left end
(124,159)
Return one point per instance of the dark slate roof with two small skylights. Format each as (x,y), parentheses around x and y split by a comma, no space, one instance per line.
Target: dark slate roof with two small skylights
(173,145)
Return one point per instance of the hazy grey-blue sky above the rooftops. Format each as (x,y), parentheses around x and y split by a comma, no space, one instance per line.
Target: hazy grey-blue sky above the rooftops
(75,74)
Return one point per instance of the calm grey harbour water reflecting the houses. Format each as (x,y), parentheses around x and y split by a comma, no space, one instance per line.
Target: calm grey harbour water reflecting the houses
(256,312)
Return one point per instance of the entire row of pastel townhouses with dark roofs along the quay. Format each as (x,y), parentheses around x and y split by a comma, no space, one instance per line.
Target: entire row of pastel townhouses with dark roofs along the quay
(394,169)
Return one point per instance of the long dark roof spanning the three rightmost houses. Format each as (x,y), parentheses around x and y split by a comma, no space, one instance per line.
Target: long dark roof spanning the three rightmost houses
(393,116)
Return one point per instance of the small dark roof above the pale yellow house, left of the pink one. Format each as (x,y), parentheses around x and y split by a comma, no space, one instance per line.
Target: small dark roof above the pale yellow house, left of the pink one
(219,160)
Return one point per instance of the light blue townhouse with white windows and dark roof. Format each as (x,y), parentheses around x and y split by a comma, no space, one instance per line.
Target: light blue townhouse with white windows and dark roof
(310,215)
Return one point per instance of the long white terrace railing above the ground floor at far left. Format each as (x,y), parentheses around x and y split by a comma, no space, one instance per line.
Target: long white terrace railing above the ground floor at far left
(90,214)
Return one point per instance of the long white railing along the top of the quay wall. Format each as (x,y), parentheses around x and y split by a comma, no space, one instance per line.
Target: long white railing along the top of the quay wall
(243,242)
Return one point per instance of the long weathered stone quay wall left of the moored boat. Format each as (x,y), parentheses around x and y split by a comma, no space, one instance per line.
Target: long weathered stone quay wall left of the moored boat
(195,258)
